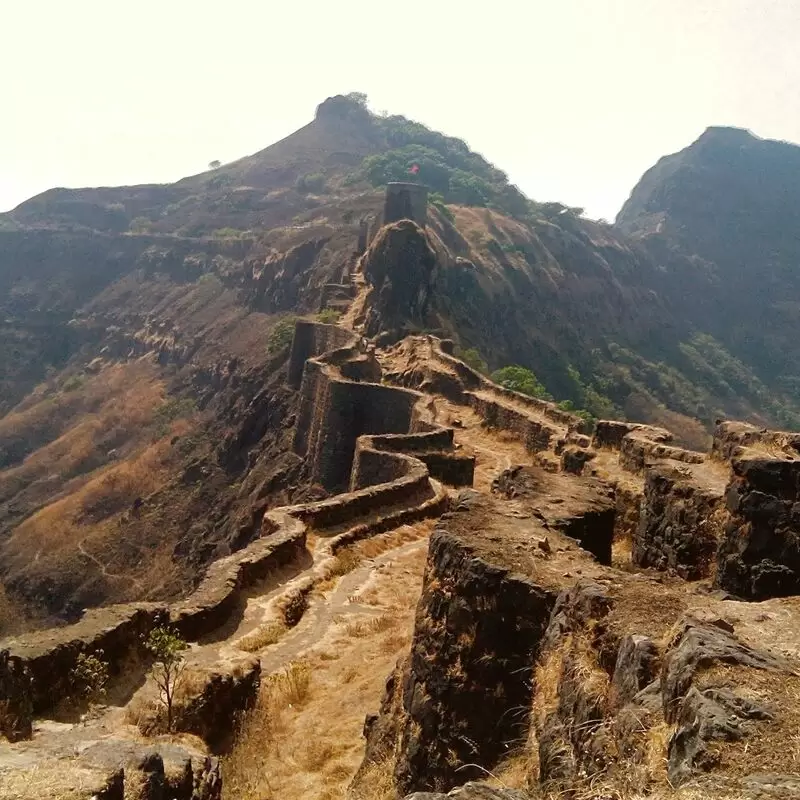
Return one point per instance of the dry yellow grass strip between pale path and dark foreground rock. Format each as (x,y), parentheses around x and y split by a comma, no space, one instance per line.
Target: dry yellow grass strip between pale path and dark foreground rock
(313,746)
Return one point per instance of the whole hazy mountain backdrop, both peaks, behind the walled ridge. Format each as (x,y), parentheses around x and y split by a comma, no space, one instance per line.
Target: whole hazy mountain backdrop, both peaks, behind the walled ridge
(144,420)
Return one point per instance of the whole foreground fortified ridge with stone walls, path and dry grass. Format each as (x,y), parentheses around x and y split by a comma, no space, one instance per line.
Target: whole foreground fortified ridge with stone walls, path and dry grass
(599,615)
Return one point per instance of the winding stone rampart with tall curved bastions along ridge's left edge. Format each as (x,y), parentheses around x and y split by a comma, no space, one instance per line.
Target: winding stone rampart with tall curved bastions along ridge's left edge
(35,669)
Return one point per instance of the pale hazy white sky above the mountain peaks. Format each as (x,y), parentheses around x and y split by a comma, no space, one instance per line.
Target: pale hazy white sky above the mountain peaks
(574,99)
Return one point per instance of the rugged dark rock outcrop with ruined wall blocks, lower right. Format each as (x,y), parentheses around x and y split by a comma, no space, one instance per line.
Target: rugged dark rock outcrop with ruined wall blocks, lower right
(644,683)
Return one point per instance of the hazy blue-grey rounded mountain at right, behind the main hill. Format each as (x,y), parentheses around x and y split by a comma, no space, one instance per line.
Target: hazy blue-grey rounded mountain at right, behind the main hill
(731,201)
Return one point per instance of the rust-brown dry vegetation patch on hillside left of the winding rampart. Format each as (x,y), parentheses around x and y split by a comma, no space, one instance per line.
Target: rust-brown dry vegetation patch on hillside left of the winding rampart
(78,534)
